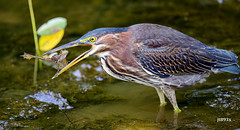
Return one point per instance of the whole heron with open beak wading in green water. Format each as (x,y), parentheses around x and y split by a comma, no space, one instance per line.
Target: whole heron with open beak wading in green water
(153,55)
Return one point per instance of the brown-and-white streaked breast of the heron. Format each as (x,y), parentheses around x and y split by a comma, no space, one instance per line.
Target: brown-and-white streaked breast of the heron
(127,72)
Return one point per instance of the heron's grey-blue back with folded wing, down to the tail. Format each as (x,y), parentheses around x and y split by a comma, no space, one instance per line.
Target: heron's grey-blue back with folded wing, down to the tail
(164,51)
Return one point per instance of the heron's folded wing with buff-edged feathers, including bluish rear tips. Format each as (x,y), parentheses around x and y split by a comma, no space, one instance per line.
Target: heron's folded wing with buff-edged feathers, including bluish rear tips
(176,57)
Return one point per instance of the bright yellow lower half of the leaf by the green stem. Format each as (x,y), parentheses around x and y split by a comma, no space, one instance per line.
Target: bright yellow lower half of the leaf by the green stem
(48,42)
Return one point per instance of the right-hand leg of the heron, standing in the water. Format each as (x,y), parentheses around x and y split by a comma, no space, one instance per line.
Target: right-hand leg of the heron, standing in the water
(170,94)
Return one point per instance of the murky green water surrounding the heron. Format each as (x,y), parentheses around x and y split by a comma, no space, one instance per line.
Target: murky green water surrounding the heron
(98,101)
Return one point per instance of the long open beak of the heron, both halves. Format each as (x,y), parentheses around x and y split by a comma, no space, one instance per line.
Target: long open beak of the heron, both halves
(76,60)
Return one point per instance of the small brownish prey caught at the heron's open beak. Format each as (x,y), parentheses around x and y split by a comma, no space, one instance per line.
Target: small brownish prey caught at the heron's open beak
(58,59)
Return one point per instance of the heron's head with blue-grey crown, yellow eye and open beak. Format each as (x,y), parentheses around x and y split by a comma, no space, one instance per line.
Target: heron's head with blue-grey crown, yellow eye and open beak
(101,40)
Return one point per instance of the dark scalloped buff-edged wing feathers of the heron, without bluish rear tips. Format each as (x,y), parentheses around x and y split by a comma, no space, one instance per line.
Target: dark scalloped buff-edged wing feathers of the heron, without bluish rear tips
(164,62)
